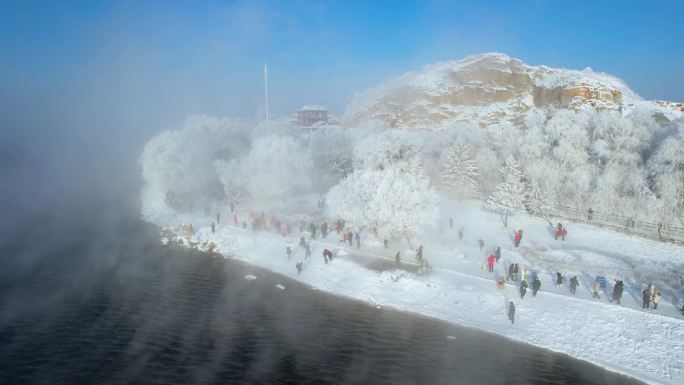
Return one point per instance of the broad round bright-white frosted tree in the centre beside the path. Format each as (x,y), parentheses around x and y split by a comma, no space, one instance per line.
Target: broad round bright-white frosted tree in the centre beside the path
(391,202)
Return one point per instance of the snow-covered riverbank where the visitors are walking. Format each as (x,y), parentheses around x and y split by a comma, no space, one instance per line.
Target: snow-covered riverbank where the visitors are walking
(646,344)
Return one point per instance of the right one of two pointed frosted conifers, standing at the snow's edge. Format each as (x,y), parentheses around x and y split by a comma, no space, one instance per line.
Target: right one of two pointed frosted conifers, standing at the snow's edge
(509,196)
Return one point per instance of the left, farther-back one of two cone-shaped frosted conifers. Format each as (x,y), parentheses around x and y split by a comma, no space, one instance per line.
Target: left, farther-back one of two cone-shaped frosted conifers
(460,170)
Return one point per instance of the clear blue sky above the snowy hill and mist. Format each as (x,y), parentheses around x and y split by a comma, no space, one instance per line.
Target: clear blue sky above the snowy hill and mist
(207,57)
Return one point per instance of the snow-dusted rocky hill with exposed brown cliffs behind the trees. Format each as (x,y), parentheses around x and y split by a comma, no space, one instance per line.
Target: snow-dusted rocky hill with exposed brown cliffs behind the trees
(490,88)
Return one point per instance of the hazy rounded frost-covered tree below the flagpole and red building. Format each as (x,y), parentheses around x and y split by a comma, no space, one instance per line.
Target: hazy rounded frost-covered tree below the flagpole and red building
(276,167)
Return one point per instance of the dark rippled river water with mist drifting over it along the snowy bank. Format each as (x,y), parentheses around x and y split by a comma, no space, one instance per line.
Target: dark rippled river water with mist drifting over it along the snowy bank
(105,303)
